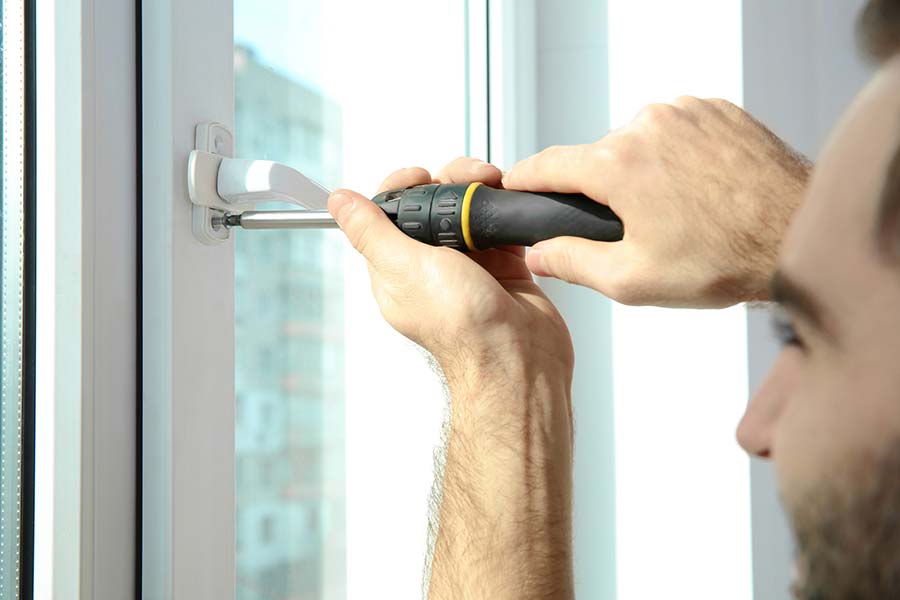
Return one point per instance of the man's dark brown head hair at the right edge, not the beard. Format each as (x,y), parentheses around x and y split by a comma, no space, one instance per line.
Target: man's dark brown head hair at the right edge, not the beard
(878,33)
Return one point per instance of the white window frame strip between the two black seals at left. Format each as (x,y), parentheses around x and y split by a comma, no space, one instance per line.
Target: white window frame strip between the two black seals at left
(86,393)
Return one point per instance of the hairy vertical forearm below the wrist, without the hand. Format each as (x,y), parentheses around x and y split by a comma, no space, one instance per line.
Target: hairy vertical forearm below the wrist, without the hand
(505,516)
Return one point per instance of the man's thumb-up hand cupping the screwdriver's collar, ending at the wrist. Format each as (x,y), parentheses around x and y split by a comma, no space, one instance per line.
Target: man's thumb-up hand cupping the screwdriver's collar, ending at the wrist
(462,308)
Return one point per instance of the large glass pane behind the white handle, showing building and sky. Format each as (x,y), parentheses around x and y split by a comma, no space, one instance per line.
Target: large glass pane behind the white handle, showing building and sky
(340,91)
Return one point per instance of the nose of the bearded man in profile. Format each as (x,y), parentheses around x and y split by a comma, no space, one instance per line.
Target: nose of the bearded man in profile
(757,427)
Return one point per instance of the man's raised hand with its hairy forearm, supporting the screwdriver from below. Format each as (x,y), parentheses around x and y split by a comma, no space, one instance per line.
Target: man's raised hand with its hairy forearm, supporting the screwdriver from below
(505,517)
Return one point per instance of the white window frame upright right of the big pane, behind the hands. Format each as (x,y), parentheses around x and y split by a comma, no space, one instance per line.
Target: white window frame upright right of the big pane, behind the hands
(532,104)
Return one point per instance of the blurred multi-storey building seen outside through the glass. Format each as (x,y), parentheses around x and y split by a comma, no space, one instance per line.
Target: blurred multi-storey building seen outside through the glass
(289,348)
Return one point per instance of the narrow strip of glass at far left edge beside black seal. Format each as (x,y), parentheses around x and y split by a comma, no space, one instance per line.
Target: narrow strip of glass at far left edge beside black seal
(11,289)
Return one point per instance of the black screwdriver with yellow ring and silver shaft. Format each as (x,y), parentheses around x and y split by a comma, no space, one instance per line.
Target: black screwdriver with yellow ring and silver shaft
(467,217)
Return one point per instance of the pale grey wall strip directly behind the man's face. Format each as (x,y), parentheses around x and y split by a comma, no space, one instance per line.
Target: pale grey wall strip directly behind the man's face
(801,69)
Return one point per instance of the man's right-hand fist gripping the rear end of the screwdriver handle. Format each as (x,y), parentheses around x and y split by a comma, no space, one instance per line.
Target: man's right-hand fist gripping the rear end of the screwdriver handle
(704,190)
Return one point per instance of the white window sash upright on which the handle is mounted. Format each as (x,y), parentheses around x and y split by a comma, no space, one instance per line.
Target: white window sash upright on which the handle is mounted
(188,498)
